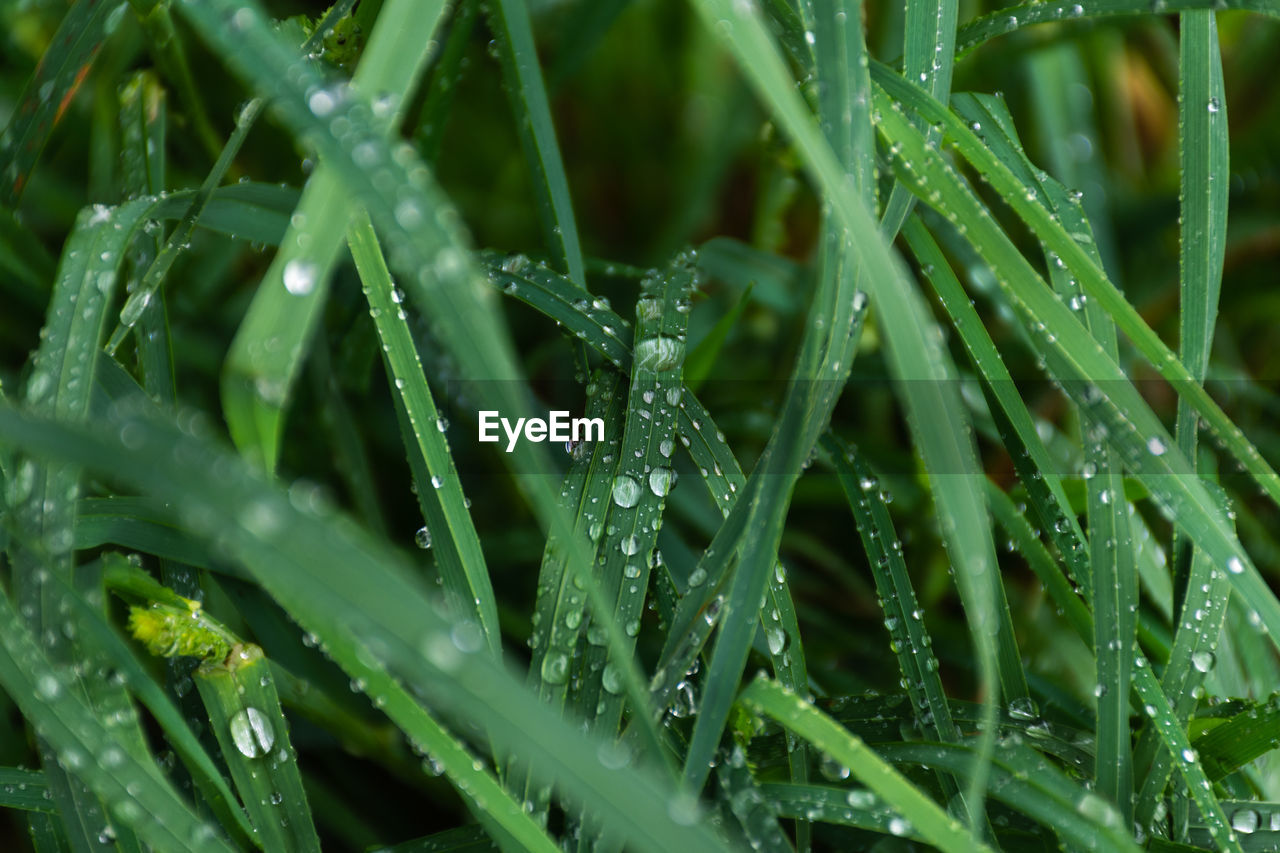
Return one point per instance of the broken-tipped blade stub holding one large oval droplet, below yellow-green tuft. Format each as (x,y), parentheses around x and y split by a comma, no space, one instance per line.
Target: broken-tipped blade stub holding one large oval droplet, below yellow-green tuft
(253,732)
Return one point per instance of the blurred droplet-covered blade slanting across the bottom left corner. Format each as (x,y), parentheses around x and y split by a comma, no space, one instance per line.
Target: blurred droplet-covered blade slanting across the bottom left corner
(118,773)
